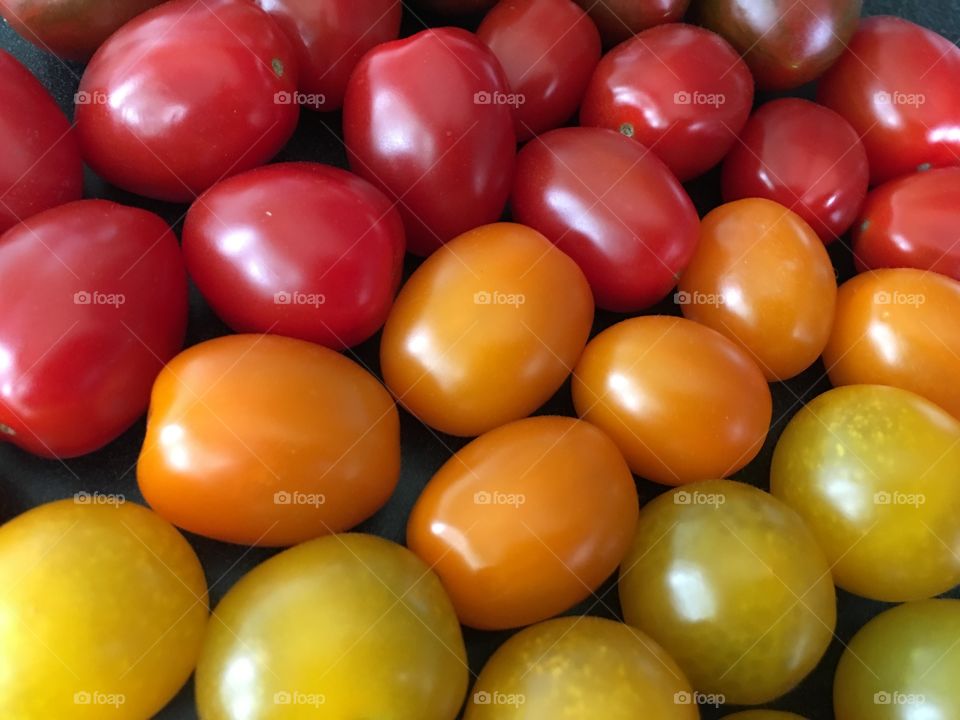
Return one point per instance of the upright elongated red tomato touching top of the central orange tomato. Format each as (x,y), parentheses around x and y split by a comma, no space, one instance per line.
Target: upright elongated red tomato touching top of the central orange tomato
(440,144)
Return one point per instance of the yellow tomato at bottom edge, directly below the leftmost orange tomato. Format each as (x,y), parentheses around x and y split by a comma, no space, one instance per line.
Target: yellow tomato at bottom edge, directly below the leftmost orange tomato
(345,627)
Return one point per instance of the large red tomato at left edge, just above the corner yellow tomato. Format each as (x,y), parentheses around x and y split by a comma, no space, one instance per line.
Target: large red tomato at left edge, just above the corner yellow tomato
(95,302)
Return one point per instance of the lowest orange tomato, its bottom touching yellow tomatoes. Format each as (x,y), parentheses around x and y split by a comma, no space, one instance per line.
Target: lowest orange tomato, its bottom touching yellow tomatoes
(510,522)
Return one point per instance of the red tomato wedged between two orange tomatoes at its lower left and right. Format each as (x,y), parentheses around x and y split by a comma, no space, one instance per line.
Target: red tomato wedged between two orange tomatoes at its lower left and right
(613,207)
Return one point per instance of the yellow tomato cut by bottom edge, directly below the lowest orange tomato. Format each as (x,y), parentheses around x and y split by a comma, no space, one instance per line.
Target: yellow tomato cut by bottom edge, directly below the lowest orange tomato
(581,668)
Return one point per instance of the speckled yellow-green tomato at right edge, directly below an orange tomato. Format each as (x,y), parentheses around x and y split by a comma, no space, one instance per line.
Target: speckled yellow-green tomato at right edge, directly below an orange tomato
(873,471)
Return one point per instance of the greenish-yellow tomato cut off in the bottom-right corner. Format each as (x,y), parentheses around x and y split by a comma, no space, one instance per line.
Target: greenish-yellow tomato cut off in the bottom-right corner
(902,665)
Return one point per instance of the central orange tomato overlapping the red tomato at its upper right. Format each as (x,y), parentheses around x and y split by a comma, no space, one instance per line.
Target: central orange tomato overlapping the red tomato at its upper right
(486,330)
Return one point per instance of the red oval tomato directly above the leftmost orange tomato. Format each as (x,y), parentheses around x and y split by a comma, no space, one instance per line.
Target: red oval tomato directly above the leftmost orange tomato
(298,249)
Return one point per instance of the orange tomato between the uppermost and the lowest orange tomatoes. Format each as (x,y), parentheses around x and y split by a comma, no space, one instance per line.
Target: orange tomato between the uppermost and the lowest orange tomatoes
(681,401)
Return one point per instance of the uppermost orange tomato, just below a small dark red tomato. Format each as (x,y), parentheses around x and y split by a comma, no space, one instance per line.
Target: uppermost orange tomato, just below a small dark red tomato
(761,277)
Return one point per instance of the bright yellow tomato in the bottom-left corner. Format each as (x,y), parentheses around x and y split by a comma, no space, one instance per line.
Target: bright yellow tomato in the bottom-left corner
(103,606)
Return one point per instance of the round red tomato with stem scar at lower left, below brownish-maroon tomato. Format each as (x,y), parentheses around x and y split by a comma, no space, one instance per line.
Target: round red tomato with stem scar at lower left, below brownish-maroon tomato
(680,90)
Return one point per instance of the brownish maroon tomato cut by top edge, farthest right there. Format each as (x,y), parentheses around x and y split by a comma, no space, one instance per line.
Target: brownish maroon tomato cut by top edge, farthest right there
(786,43)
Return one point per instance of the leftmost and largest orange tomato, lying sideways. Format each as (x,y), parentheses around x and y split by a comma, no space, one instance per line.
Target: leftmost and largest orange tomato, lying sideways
(287,439)
